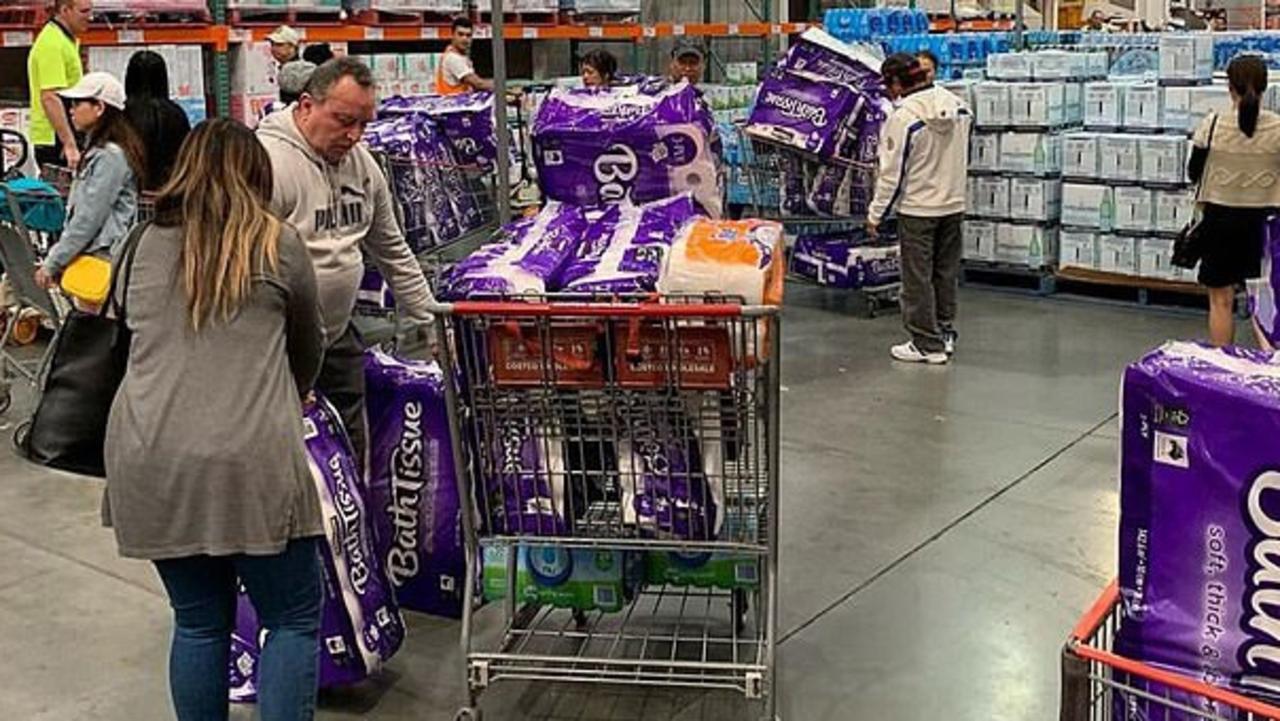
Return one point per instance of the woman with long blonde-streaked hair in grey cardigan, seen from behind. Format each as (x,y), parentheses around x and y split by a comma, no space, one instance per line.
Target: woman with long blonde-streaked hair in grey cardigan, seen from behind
(207,467)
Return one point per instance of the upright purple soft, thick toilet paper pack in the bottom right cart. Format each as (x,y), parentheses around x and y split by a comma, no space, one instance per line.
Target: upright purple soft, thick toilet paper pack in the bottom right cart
(1200,518)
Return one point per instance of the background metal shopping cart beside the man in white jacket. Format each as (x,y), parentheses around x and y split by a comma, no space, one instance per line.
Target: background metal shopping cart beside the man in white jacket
(822,204)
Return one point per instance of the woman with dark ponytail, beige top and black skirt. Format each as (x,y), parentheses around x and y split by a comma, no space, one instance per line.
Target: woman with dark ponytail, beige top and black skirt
(1231,153)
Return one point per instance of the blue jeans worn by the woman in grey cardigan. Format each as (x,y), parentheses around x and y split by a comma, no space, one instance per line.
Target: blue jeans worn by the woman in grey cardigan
(287,596)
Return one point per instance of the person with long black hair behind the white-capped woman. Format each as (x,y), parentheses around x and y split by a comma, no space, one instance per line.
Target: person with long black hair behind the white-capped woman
(157,118)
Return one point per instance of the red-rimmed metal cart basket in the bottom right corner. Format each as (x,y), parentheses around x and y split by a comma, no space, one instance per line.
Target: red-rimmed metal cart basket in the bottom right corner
(1101,686)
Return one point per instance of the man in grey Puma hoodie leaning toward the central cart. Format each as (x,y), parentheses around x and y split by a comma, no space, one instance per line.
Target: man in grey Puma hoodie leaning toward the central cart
(331,189)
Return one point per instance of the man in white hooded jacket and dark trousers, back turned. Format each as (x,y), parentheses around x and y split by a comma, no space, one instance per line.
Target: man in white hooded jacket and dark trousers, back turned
(924,163)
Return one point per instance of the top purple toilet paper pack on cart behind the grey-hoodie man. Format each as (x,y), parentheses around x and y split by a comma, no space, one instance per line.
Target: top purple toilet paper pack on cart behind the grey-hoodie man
(467,121)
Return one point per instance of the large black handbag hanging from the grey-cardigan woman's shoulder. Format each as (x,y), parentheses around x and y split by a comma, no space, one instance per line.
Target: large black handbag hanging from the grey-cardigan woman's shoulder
(92,350)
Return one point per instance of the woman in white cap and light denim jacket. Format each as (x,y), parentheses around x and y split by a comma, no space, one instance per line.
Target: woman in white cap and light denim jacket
(104,197)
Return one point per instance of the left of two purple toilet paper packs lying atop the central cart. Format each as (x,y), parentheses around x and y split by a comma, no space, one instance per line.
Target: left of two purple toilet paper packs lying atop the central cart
(528,261)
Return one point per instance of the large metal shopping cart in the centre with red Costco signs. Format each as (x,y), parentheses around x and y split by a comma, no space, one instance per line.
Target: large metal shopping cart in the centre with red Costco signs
(615,435)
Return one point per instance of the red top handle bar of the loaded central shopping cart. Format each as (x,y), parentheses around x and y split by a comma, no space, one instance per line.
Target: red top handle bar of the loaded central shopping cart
(604,311)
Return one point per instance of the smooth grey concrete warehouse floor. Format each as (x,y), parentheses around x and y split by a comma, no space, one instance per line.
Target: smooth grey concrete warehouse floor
(943,530)
